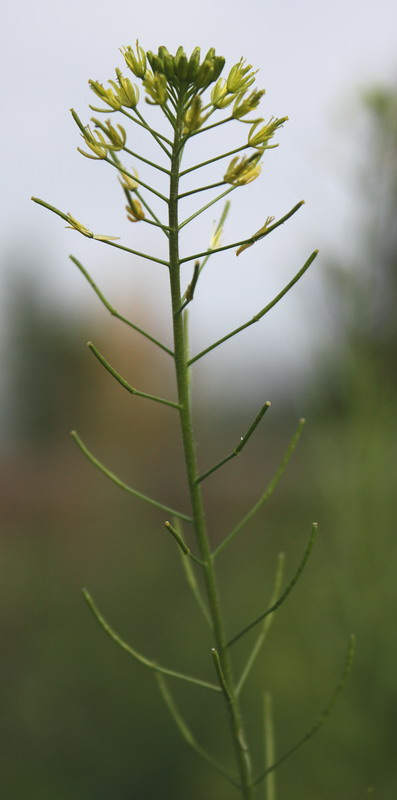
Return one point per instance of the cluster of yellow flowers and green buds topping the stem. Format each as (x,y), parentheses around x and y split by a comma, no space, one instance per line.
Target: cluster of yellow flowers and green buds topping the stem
(176,84)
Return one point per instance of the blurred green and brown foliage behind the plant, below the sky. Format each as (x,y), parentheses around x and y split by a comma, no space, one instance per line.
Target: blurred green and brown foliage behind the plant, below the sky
(79,718)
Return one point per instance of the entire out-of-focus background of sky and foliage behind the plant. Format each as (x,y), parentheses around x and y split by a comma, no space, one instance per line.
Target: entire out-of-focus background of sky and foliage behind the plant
(79,718)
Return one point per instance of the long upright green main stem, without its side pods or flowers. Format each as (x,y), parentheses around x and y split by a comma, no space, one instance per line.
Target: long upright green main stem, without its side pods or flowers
(200,527)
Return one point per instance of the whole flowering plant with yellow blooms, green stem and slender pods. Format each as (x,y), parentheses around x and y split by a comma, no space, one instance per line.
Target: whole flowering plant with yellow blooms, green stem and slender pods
(174,86)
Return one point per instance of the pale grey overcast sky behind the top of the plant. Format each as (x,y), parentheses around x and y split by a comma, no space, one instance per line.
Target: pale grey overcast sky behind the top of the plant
(313,59)
